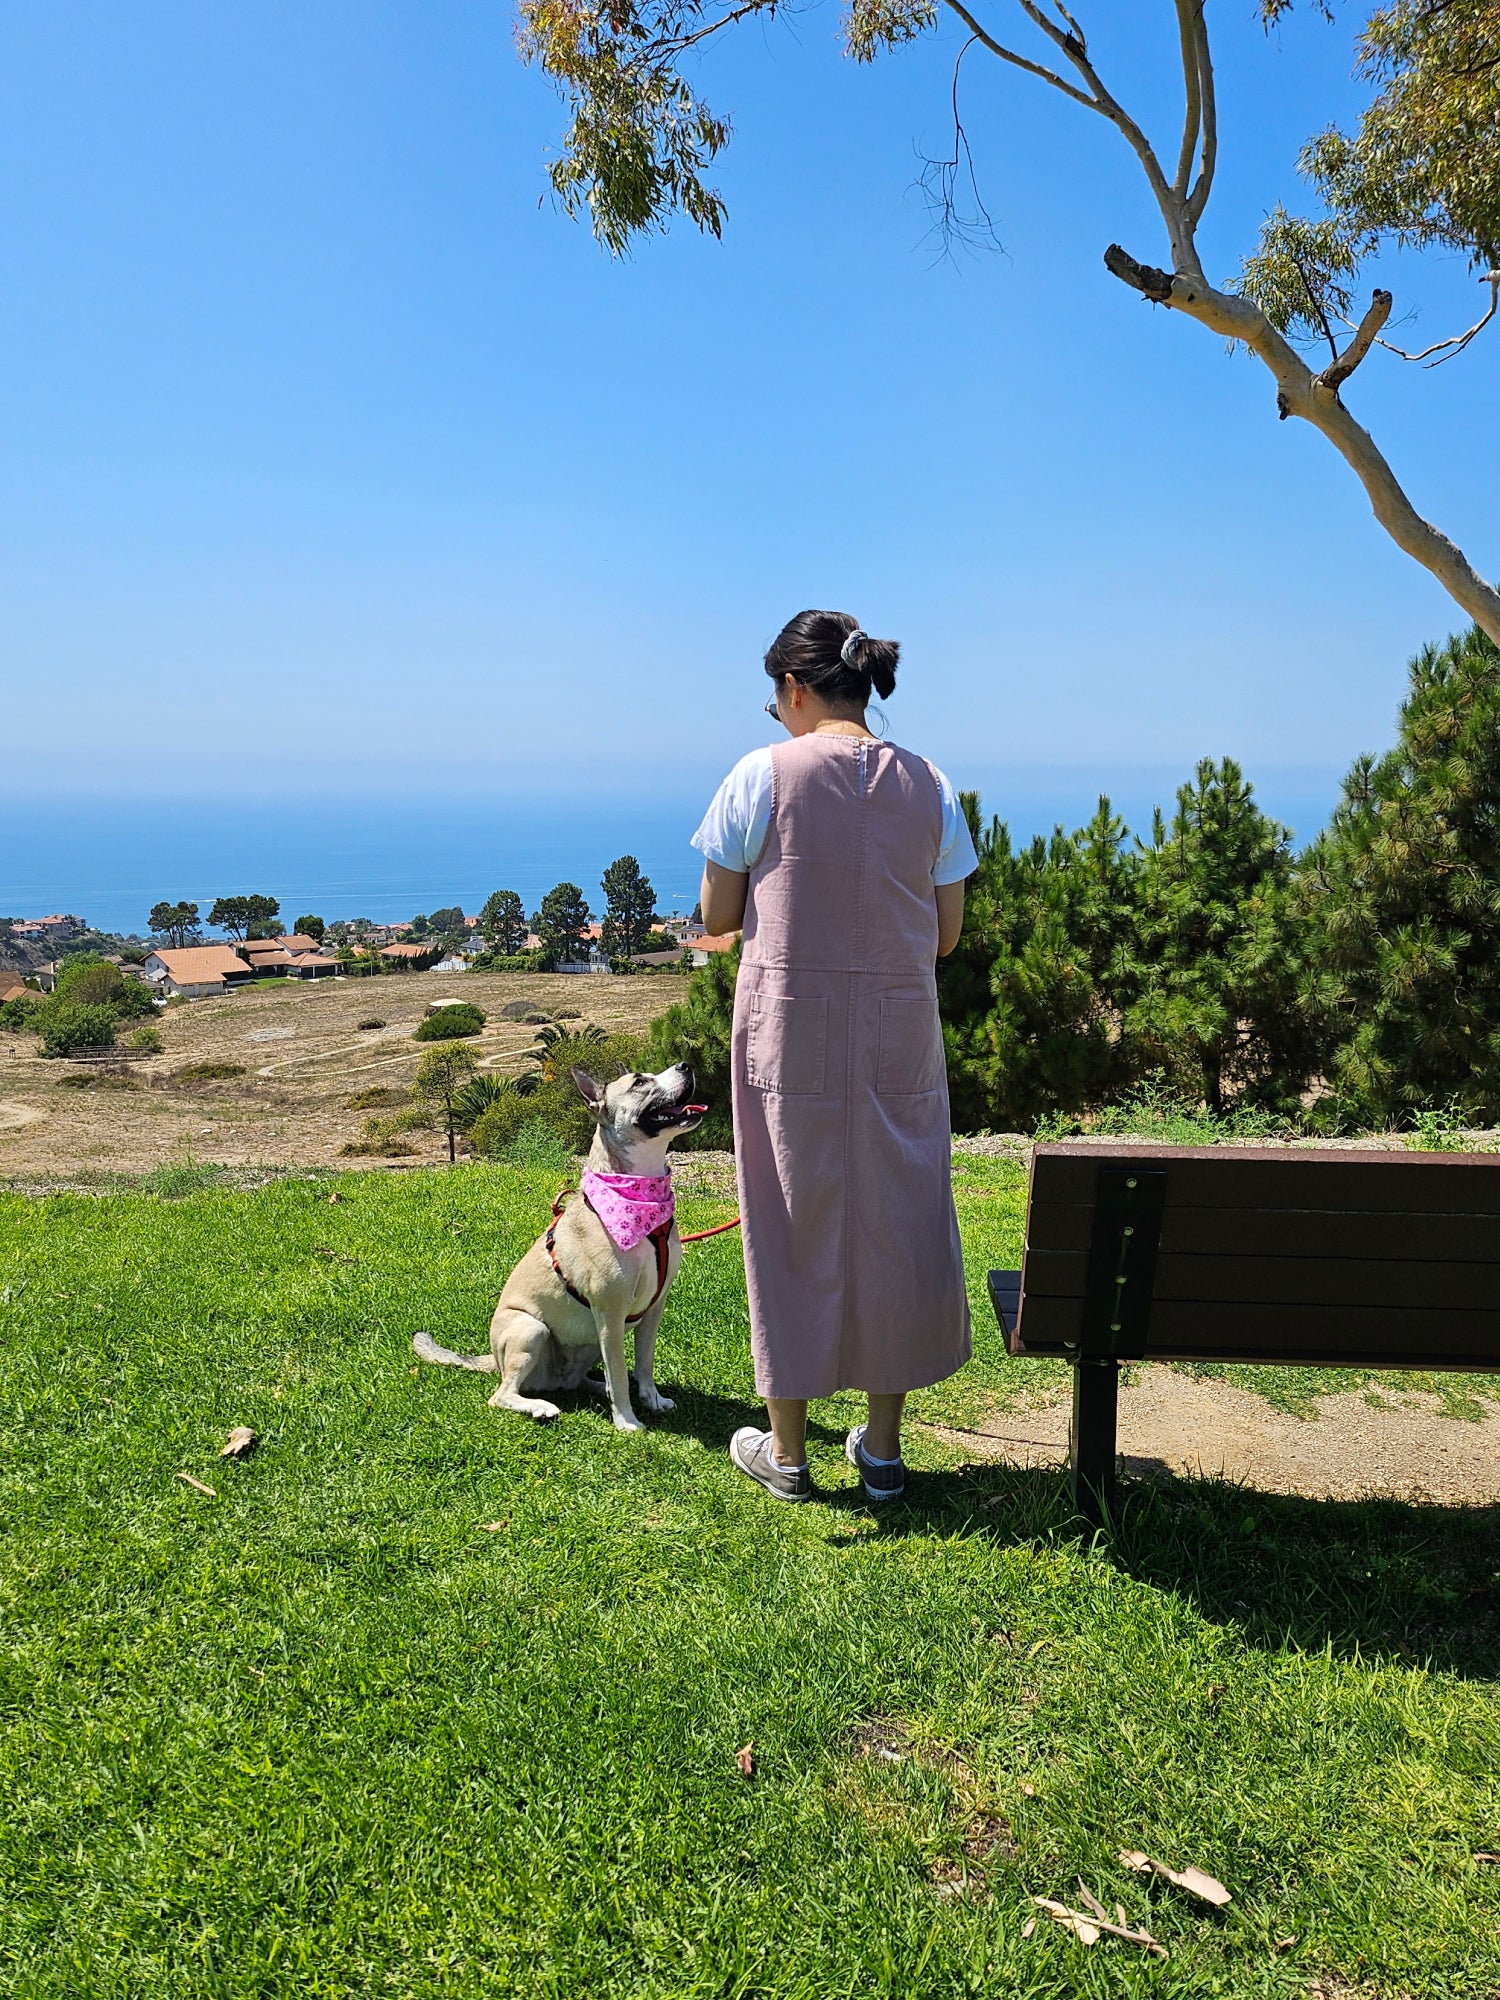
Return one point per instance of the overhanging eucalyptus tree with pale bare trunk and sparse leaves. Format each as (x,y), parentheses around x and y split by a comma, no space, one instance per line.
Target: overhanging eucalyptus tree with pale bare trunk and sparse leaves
(1423,171)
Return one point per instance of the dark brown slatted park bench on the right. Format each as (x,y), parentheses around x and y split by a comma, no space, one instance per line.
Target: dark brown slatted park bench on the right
(1249,1255)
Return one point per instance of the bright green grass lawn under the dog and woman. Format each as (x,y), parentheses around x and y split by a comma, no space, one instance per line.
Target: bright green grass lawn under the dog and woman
(433,1701)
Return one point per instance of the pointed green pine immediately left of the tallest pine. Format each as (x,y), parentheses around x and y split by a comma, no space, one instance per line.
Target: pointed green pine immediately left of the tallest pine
(1213,997)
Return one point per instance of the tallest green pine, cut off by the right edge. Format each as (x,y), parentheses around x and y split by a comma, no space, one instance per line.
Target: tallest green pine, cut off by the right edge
(1403,899)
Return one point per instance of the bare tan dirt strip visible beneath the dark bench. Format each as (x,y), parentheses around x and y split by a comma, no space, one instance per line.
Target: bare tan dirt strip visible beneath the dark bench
(1215,1429)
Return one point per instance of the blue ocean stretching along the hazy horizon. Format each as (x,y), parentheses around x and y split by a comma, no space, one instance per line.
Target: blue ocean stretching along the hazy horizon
(389,857)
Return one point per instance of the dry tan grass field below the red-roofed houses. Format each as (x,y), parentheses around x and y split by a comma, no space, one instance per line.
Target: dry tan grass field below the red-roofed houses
(291,1057)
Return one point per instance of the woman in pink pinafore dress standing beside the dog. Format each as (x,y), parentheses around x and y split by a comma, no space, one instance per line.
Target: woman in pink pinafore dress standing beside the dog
(845,861)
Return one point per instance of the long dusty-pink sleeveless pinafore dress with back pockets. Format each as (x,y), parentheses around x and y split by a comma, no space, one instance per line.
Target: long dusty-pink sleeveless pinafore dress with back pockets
(841,1093)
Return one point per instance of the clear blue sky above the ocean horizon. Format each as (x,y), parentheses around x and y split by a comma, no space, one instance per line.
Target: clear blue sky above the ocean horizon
(335,455)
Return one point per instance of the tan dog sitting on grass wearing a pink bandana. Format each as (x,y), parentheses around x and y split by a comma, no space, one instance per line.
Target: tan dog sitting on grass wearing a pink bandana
(577,1289)
